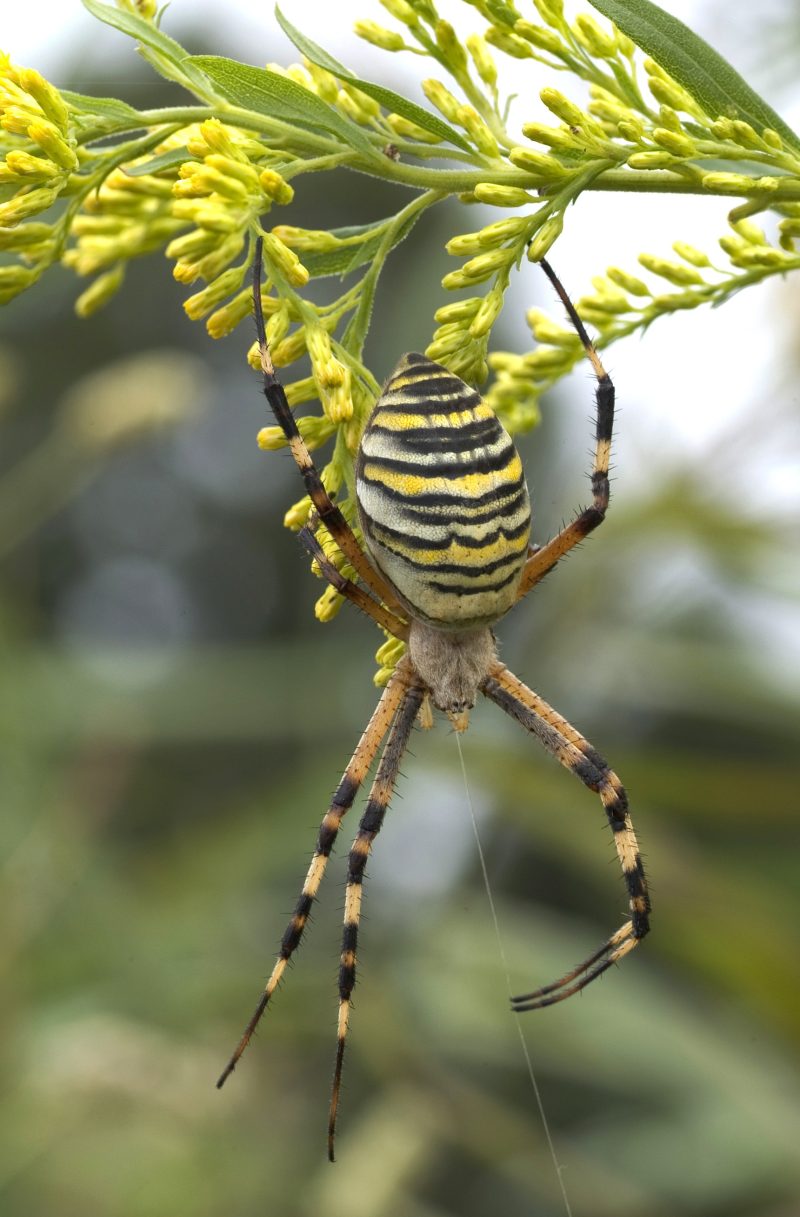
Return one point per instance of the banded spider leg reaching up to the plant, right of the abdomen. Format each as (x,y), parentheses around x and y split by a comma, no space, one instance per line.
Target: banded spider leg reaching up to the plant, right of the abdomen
(545,559)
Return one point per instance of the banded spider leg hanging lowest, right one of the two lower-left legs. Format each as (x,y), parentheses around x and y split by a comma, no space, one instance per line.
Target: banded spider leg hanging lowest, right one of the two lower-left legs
(368,829)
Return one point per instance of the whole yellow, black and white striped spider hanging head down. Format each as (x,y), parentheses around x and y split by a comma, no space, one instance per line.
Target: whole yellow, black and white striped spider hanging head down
(446,518)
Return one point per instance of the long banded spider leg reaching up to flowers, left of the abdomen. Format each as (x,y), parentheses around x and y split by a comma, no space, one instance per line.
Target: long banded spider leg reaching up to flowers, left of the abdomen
(329,514)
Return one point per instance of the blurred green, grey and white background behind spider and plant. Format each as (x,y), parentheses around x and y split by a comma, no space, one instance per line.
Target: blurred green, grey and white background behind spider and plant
(175,720)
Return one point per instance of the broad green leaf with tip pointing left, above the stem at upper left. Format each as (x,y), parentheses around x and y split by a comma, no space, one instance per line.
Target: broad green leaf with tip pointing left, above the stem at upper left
(278,97)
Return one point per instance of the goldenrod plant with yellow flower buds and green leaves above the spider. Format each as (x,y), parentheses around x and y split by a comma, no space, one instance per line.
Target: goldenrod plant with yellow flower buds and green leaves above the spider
(93,183)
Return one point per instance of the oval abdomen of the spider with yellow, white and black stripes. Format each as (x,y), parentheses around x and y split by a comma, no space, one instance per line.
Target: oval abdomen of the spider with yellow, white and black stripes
(443,498)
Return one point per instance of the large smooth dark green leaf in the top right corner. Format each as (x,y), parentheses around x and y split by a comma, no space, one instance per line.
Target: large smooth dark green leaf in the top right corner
(693,64)
